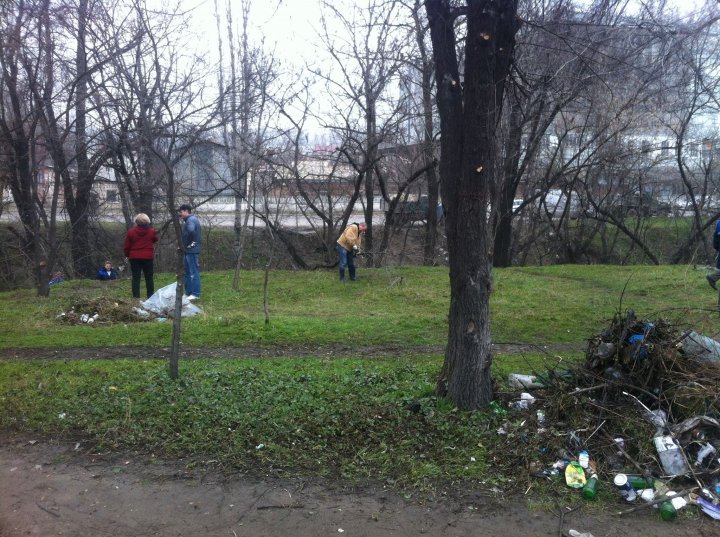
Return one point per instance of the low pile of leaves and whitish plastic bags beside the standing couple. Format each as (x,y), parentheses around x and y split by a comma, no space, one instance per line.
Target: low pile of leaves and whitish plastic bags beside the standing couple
(104,310)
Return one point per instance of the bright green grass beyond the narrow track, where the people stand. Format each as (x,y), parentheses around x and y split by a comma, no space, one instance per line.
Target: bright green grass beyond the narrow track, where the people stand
(400,306)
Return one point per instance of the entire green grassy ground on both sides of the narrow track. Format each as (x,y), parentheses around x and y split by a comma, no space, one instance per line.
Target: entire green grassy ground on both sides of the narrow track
(349,416)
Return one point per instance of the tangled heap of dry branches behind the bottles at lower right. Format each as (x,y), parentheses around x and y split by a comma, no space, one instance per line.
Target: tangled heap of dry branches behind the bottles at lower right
(638,380)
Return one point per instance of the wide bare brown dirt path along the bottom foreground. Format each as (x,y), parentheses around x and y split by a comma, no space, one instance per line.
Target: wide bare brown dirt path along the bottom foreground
(49,488)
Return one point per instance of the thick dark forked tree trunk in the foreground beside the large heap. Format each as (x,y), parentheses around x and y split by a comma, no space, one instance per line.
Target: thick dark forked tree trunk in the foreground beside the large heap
(468,122)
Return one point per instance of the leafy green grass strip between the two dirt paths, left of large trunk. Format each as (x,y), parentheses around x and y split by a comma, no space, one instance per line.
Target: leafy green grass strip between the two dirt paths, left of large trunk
(352,418)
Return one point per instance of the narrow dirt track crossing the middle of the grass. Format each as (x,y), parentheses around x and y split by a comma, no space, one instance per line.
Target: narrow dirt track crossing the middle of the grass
(250,351)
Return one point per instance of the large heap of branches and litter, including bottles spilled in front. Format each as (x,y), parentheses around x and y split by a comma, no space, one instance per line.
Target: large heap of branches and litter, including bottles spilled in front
(640,417)
